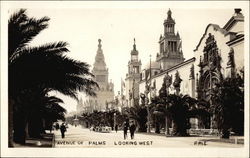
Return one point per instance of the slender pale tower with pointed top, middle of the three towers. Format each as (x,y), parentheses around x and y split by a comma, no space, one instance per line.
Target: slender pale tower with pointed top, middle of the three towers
(133,77)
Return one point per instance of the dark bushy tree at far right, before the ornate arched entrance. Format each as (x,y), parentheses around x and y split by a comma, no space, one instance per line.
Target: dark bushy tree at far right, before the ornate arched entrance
(228,103)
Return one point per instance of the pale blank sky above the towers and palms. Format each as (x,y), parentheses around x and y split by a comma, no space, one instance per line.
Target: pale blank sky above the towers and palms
(82,25)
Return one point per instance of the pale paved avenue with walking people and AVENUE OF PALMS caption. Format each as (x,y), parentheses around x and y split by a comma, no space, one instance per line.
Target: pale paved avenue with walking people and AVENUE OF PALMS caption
(82,137)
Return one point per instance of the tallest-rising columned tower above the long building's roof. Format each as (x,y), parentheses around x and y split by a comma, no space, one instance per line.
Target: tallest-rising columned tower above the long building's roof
(170,45)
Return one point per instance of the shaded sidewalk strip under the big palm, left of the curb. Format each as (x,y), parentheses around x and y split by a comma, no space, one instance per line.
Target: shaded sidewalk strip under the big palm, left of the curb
(46,142)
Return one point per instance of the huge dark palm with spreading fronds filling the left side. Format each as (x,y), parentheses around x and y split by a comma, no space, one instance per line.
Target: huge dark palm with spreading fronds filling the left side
(35,71)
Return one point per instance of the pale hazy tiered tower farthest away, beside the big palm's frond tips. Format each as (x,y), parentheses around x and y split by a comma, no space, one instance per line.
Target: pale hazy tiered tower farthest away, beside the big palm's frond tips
(106,92)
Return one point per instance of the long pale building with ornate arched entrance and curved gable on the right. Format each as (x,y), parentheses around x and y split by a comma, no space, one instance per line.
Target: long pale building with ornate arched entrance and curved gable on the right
(219,54)
